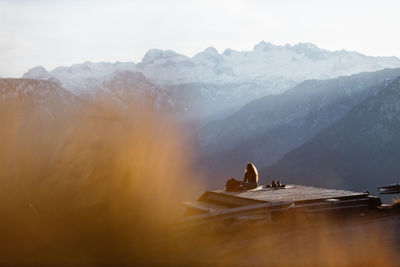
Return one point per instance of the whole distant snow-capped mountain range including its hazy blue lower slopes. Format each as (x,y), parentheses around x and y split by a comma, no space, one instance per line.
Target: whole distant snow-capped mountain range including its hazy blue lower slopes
(211,85)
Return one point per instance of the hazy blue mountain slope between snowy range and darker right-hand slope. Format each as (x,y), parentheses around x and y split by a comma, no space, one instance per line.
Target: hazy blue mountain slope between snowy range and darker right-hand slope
(266,129)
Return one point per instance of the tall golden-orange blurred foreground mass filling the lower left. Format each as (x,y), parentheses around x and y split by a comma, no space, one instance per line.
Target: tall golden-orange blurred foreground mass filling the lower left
(90,185)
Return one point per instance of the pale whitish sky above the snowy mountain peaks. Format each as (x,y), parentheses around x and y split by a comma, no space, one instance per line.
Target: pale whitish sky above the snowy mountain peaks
(55,33)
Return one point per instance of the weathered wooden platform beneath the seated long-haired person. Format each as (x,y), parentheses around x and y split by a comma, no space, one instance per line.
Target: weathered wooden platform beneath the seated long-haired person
(222,205)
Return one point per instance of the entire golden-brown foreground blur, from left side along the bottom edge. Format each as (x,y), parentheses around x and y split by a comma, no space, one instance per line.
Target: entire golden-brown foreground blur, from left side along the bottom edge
(101,185)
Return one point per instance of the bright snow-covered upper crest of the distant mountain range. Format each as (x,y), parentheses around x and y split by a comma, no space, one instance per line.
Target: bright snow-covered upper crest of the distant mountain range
(265,63)
